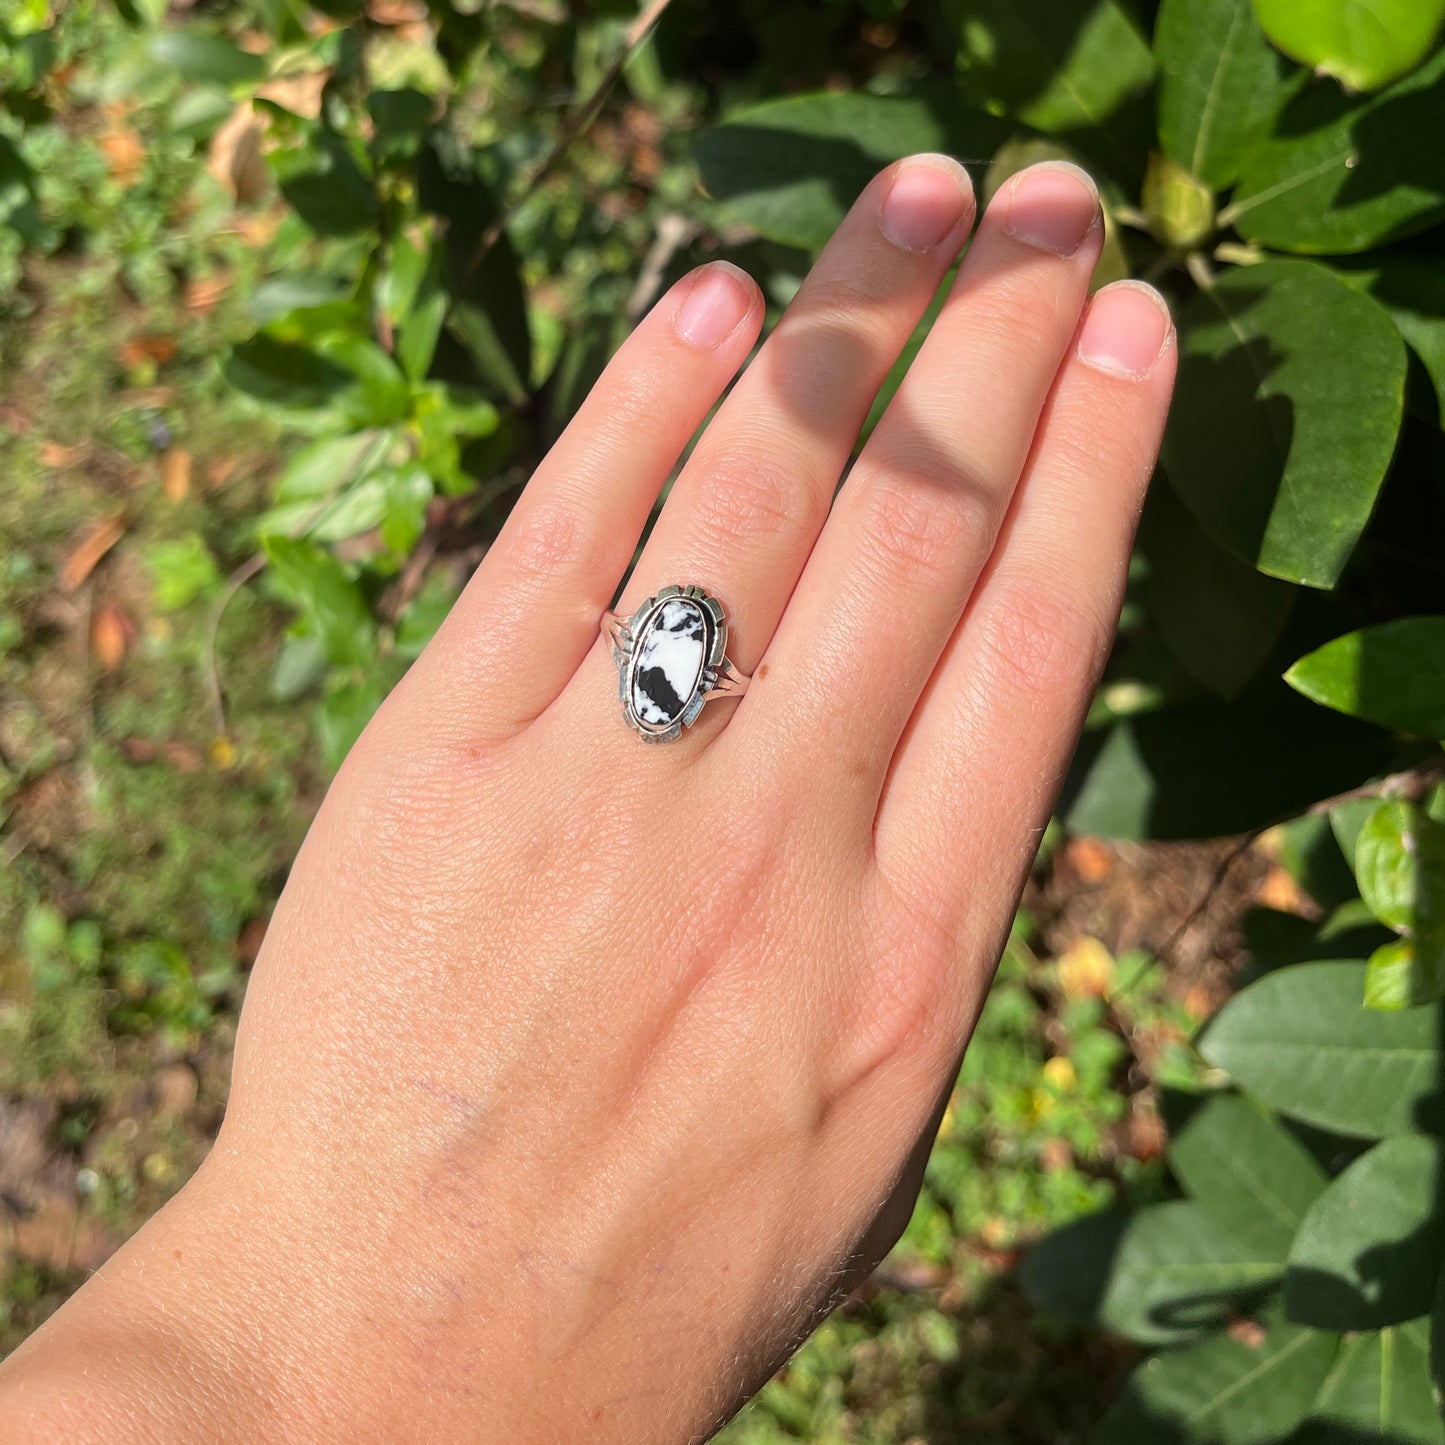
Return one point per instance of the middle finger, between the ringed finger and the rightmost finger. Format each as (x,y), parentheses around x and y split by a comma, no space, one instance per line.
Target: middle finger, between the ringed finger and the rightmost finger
(918,517)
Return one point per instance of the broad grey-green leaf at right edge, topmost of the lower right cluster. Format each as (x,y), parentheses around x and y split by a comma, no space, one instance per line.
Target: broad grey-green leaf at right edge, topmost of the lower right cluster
(1301,1041)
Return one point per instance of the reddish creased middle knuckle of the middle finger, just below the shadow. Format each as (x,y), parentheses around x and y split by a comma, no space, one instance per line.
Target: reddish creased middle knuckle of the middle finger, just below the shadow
(923,518)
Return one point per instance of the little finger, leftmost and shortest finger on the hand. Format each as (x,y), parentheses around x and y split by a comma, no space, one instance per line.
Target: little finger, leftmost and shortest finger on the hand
(530,615)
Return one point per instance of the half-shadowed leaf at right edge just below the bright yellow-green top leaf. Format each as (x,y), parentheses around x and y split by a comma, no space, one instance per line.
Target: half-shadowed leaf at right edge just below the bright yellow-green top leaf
(1342,176)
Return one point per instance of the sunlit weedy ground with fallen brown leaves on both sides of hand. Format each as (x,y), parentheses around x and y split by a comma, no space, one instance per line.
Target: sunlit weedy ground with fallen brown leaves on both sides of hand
(145,839)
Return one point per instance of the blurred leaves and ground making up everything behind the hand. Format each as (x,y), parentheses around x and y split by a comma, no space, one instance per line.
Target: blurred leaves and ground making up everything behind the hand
(294,297)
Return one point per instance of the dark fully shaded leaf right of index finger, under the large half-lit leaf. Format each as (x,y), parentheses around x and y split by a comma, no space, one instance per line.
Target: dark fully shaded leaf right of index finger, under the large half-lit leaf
(1219,616)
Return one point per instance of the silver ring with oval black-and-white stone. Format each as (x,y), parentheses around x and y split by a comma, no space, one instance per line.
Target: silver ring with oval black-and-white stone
(671,658)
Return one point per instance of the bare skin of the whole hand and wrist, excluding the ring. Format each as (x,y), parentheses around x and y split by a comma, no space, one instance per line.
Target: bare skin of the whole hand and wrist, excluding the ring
(579,1079)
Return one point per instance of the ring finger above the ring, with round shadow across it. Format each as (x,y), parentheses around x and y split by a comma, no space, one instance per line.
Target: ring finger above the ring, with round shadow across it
(746,509)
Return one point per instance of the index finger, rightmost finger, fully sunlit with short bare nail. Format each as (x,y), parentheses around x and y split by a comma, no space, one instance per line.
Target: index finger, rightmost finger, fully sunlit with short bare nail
(986,751)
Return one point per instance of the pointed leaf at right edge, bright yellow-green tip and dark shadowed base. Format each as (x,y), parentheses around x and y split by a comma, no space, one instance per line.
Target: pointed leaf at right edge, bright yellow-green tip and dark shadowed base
(1392,674)
